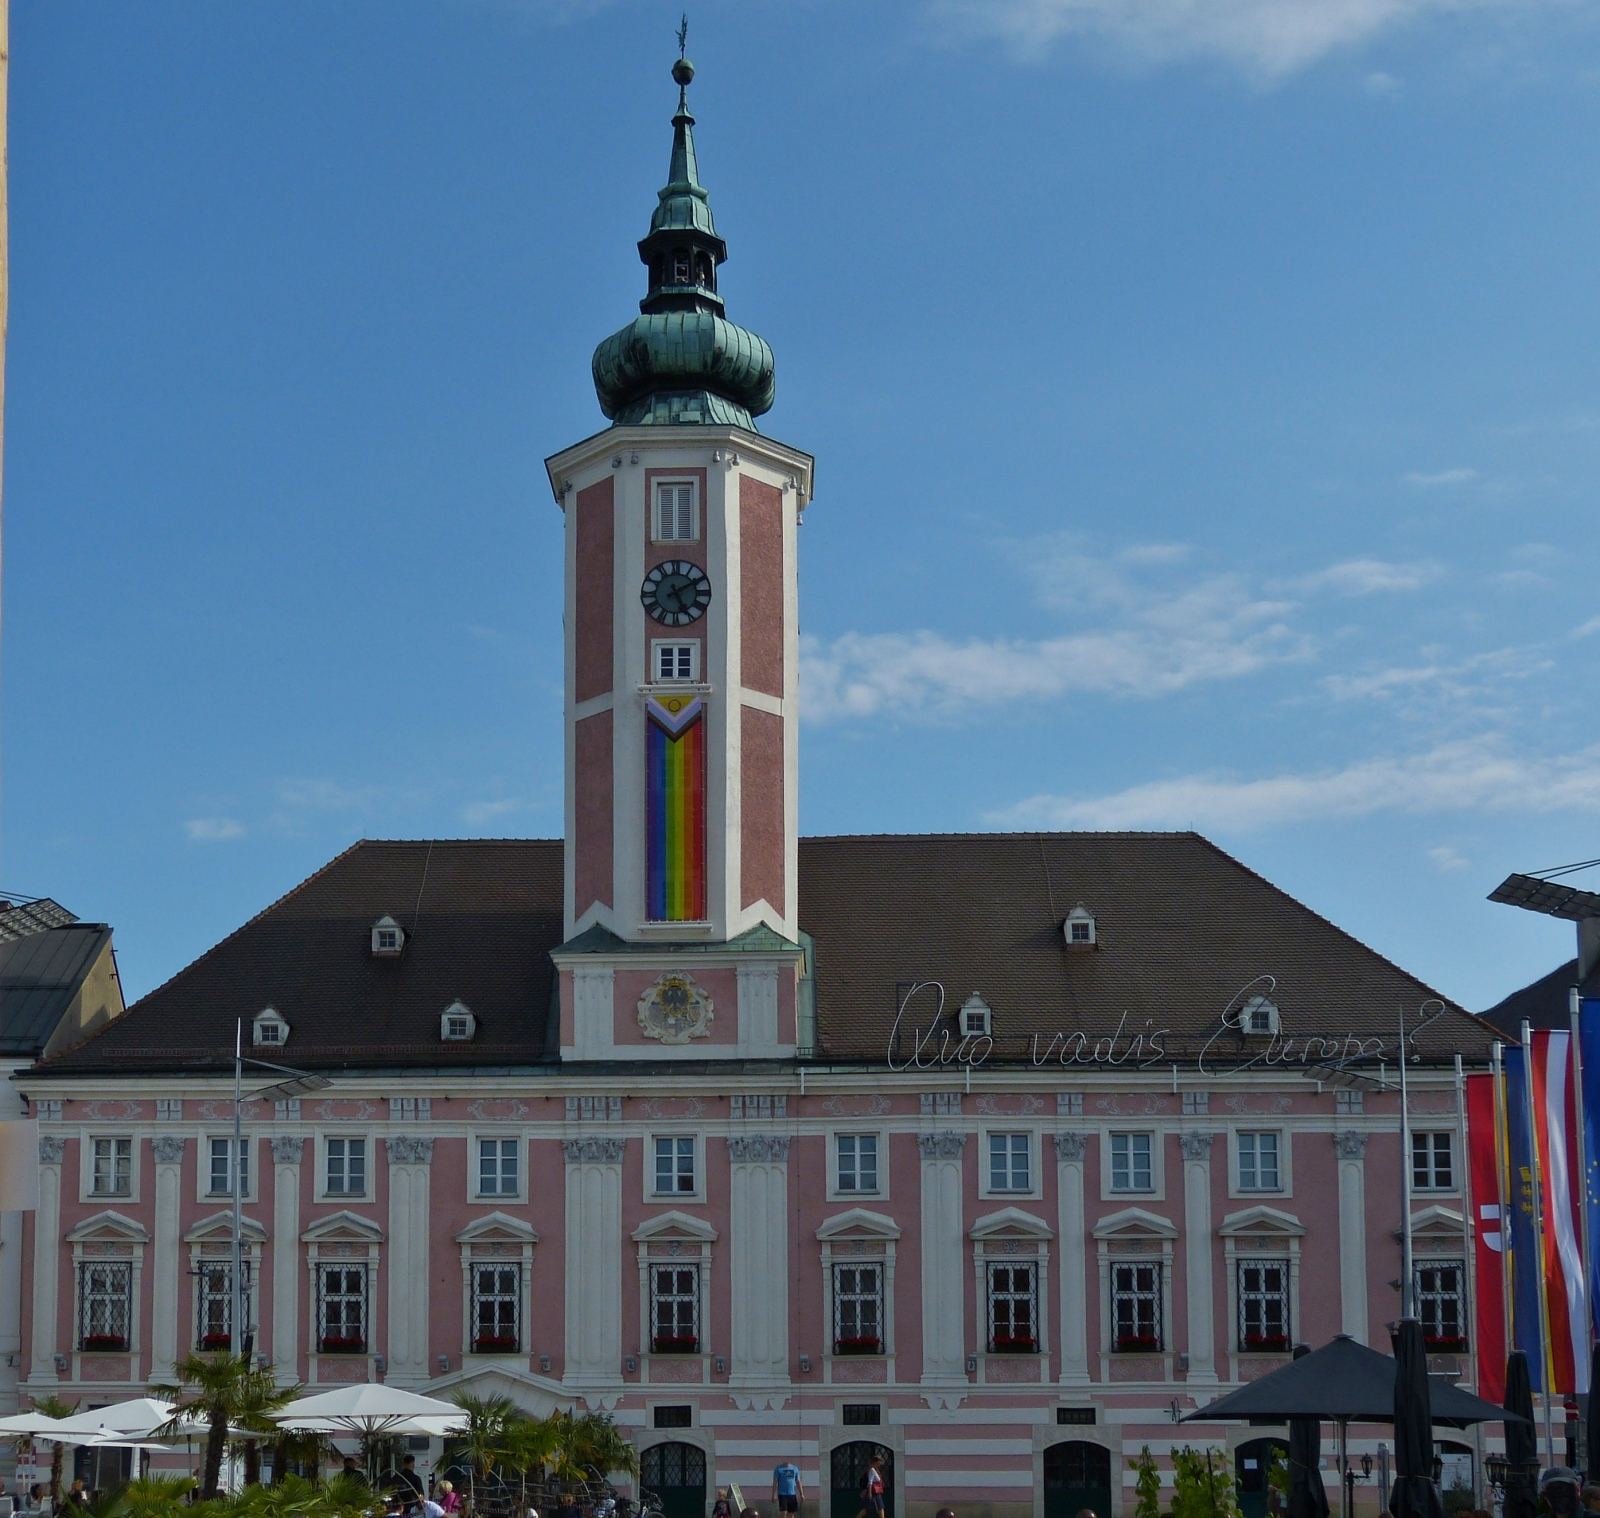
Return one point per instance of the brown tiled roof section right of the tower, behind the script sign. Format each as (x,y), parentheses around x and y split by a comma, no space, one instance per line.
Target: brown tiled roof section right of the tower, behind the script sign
(1183,930)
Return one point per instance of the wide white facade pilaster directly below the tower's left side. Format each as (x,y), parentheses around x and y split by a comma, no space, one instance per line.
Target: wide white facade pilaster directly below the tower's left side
(594,1263)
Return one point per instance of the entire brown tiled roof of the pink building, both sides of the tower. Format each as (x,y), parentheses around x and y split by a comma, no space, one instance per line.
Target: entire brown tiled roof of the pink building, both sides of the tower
(1183,929)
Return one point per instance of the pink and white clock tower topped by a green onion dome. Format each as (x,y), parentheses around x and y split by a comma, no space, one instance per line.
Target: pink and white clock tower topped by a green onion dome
(682,673)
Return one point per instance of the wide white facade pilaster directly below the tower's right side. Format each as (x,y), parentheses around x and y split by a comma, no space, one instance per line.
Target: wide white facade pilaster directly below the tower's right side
(759,1258)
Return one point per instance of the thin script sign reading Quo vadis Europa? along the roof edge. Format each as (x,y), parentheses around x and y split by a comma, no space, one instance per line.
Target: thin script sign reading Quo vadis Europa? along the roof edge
(940,1047)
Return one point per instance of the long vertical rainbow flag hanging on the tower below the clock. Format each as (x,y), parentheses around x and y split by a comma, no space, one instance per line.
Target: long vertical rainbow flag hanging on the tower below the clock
(676,809)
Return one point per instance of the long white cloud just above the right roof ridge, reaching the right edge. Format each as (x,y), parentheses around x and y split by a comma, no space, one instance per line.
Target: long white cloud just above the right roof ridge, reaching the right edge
(1473,775)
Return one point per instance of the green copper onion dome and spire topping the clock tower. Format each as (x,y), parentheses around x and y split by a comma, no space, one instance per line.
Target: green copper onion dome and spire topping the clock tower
(682,361)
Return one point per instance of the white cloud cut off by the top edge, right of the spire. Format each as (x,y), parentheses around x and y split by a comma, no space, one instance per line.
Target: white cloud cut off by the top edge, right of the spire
(1266,38)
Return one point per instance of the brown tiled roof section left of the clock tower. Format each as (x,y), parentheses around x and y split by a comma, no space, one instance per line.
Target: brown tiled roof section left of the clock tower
(481,922)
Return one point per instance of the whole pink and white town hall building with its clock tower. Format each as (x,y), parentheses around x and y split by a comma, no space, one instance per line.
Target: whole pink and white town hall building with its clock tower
(980,1156)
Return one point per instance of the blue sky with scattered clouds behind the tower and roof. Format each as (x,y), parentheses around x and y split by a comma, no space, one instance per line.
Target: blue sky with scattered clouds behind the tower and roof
(1204,397)
